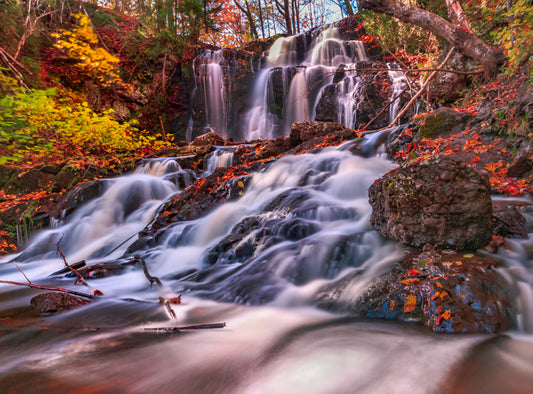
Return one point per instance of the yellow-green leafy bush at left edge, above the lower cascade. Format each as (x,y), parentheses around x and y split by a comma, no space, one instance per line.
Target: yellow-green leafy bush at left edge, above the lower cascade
(38,125)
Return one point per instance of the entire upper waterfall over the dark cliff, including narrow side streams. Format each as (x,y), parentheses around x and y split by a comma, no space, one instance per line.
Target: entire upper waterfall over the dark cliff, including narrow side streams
(294,82)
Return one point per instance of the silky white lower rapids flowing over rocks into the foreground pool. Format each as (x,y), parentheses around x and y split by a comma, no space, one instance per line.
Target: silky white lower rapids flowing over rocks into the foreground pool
(301,227)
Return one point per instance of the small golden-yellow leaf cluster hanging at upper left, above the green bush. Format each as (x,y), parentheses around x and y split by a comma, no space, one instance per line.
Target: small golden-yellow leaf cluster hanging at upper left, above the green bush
(80,44)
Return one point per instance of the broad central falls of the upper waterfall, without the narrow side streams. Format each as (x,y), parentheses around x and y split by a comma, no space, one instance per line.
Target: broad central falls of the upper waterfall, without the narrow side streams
(326,55)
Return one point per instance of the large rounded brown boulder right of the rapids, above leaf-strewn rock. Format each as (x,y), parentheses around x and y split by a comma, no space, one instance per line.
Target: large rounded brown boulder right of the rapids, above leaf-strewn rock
(439,201)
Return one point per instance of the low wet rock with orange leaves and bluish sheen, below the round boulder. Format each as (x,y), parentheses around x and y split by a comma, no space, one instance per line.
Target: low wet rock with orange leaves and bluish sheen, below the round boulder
(451,293)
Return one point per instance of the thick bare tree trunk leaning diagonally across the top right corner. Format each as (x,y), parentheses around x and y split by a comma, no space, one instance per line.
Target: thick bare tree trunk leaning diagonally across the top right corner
(490,57)
